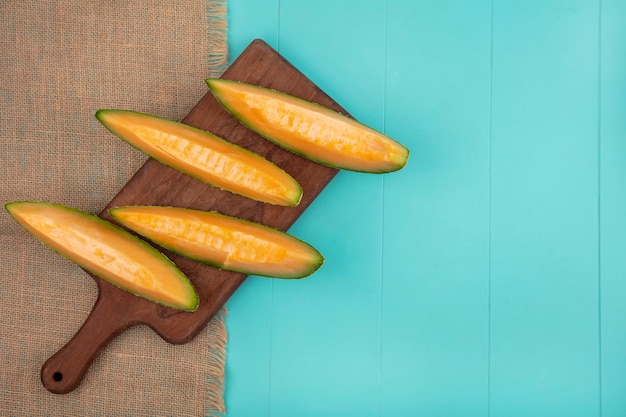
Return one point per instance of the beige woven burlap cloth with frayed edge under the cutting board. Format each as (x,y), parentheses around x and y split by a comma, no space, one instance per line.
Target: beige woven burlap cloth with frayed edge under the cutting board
(60,61)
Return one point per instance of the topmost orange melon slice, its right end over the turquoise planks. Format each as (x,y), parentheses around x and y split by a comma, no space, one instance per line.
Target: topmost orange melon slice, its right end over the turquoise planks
(310,130)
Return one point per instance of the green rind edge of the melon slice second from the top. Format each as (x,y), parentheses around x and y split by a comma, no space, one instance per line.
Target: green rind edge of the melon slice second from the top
(100,116)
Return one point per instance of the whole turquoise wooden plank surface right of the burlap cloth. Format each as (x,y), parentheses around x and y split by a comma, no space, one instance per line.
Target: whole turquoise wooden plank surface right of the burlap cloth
(487,278)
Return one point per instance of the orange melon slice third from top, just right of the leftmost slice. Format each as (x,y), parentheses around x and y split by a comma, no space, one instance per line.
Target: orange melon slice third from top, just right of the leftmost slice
(222,241)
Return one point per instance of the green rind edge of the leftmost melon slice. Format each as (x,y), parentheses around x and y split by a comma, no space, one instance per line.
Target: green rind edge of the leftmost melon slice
(194,299)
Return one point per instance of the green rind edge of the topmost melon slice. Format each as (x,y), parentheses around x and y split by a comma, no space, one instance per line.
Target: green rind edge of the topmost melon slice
(213,84)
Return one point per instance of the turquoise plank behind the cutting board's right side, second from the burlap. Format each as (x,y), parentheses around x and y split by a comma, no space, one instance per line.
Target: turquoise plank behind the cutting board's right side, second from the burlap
(325,329)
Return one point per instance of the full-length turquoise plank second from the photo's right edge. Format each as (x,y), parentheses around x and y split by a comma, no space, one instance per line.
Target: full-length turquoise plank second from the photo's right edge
(544,209)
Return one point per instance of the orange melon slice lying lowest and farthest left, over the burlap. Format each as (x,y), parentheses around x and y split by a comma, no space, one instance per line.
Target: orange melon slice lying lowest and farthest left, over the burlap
(107,251)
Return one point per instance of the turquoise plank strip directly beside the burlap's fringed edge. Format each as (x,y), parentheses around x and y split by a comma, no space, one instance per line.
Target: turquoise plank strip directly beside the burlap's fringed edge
(247,390)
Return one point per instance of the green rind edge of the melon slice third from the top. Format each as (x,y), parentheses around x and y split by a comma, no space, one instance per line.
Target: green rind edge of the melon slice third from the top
(314,265)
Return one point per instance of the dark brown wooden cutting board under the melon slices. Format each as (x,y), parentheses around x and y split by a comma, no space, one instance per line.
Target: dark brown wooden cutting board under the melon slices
(116,310)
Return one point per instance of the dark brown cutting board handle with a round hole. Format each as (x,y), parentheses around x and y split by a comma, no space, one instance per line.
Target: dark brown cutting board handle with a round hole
(63,371)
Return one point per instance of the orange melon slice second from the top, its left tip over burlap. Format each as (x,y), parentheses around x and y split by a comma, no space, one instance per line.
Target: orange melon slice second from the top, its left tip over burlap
(204,156)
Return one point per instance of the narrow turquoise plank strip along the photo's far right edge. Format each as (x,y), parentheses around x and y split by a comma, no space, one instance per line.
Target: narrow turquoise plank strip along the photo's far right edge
(613,207)
